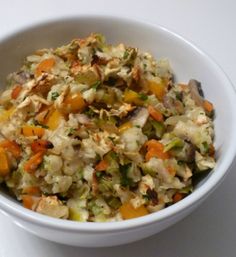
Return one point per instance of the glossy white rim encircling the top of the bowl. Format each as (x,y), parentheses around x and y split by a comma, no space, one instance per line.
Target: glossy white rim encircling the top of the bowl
(18,211)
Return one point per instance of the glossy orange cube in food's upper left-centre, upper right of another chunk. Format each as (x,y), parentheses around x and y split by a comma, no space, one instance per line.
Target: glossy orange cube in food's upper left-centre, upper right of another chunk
(74,103)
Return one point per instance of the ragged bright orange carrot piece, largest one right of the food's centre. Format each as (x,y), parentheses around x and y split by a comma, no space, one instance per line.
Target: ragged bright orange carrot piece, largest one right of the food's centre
(156,149)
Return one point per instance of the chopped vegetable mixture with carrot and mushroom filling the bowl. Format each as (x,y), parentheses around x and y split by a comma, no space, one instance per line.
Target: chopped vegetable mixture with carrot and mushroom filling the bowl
(97,132)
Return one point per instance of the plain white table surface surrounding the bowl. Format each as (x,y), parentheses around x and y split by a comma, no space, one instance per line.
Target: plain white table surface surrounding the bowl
(211,24)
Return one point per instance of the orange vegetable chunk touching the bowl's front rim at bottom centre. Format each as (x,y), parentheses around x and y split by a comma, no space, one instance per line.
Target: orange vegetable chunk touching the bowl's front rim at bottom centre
(129,212)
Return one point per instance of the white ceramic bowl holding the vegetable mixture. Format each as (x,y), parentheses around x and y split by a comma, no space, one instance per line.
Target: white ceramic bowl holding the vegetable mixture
(187,62)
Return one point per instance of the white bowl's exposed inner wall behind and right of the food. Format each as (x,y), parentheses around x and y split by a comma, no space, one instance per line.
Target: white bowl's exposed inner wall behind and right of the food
(186,60)
